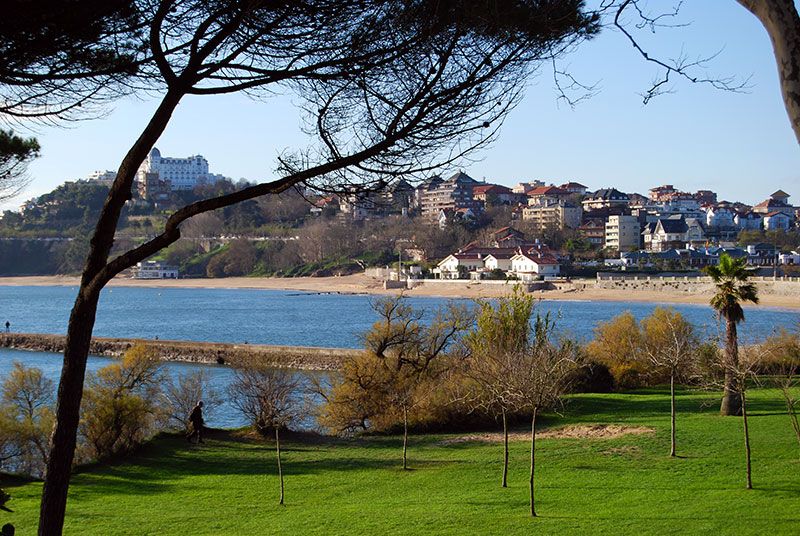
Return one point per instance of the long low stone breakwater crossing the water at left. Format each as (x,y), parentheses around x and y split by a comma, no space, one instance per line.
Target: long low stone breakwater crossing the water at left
(296,357)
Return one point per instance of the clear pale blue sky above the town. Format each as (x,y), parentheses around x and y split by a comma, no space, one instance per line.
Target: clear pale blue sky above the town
(738,144)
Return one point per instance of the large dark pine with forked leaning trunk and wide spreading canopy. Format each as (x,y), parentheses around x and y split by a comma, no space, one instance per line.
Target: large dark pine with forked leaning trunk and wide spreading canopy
(389,88)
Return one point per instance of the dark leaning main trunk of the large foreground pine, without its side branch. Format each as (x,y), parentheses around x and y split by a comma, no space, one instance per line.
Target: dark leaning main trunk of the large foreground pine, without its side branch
(81,324)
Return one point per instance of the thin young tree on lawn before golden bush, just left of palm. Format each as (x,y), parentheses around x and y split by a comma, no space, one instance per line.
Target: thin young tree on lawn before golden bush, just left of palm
(670,344)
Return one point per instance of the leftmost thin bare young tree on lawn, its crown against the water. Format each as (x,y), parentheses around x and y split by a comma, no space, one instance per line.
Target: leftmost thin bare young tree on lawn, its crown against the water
(270,398)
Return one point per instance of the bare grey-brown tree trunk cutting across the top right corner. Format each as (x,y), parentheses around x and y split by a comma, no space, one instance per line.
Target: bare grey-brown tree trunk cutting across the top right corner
(781,20)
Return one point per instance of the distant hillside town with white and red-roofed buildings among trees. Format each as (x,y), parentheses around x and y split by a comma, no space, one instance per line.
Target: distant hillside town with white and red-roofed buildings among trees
(477,230)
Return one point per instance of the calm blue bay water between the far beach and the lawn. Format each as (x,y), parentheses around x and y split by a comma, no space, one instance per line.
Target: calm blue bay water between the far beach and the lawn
(277,317)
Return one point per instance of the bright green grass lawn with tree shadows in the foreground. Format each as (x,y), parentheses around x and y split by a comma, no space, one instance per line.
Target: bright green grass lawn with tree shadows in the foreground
(626,485)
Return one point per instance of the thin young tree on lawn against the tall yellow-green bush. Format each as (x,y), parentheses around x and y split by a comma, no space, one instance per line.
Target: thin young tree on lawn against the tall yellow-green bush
(501,333)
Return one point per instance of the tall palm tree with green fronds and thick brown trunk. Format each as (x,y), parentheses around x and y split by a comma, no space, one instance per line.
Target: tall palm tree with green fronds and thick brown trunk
(730,277)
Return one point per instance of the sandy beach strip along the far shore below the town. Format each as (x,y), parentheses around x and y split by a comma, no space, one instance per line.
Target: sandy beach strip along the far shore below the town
(361,284)
